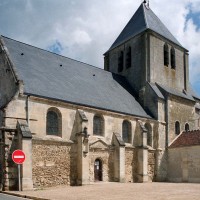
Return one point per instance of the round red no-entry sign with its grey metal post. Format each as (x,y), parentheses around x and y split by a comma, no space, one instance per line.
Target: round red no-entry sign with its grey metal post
(18,156)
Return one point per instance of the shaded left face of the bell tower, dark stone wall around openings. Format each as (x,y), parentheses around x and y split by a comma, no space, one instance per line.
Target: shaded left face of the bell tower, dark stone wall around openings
(136,73)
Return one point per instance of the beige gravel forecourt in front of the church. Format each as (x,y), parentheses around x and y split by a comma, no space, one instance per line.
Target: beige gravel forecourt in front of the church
(120,191)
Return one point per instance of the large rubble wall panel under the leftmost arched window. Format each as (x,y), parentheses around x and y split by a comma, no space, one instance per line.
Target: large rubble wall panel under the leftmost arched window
(51,163)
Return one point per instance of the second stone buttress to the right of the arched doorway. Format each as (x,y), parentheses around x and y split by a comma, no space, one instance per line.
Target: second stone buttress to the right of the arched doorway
(143,157)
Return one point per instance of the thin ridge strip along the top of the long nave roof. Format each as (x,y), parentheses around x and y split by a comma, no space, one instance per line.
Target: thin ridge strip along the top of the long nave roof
(54,53)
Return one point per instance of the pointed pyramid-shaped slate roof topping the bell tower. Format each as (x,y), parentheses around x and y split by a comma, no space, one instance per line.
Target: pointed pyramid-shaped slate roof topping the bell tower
(143,19)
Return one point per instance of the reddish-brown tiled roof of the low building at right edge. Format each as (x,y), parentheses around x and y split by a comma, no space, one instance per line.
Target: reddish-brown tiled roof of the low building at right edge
(189,138)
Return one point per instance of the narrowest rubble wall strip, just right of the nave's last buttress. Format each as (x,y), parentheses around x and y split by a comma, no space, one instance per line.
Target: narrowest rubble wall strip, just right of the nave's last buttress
(151,164)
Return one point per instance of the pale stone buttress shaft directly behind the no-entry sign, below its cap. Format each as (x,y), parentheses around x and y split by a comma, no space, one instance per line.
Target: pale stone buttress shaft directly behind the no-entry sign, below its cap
(26,173)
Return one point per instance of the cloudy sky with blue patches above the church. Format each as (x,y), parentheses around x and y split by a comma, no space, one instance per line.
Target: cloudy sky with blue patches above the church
(85,29)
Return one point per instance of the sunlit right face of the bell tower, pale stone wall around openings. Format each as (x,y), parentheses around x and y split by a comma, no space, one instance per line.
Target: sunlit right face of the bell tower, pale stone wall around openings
(170,77)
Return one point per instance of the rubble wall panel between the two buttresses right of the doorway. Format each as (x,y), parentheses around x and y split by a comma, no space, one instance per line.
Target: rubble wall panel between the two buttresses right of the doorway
(130,165)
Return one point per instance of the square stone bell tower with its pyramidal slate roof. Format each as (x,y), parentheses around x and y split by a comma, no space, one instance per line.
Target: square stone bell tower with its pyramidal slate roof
(145,50)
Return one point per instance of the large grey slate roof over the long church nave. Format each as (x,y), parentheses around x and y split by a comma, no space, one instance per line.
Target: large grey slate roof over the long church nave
(74,82)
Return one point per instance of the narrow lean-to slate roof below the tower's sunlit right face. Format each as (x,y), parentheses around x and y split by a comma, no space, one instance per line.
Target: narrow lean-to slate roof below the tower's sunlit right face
(172,91)
